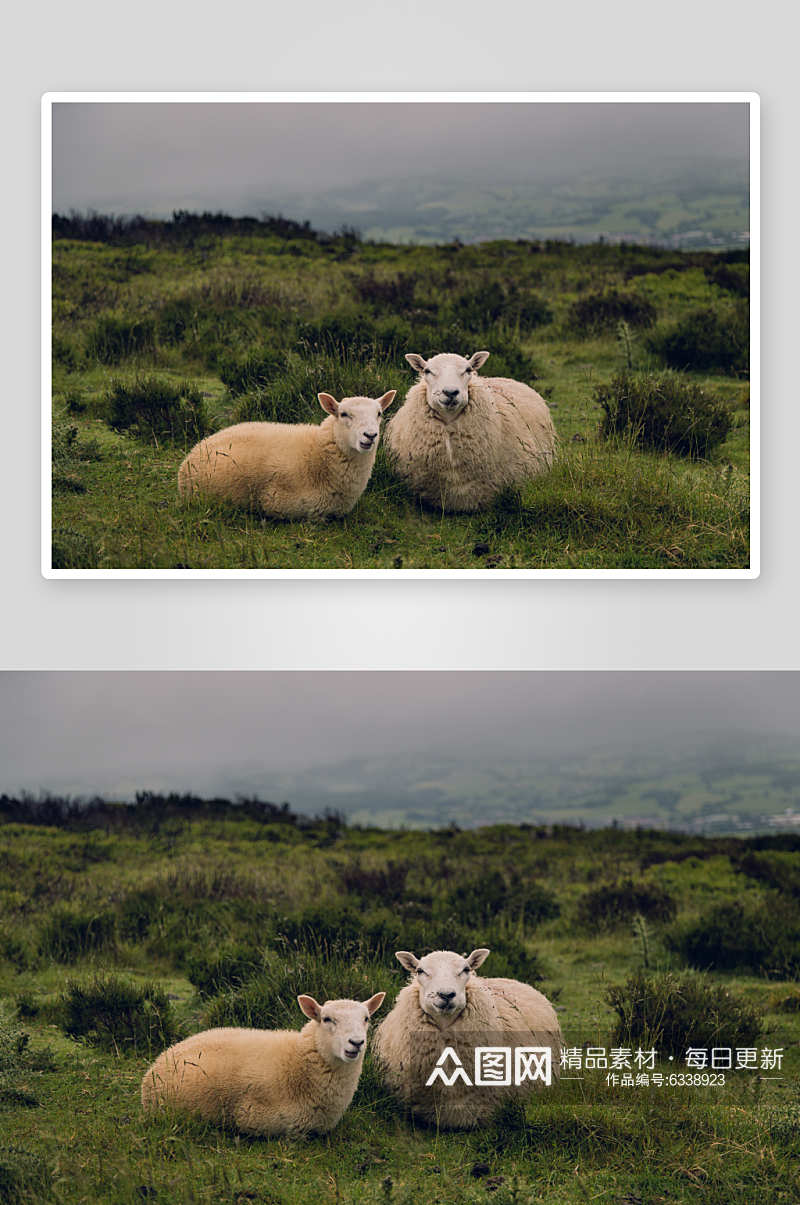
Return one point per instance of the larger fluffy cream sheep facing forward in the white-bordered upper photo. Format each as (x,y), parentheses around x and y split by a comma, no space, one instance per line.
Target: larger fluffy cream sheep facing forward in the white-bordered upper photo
(458,438)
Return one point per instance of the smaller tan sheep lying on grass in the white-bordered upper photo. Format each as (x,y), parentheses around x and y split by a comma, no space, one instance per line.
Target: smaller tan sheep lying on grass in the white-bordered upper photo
(296,472)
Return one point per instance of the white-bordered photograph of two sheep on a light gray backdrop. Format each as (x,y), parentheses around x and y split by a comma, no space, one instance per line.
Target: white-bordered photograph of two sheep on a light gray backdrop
(401,336)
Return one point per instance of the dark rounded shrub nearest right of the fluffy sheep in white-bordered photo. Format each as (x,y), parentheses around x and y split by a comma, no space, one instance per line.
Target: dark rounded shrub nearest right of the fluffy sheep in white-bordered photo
(663,413)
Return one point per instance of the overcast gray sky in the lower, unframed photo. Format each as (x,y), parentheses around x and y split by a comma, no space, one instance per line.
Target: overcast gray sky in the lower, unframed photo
(115,733)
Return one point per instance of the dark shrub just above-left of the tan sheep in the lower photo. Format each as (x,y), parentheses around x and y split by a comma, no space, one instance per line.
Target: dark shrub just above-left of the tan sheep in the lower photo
(119,1016)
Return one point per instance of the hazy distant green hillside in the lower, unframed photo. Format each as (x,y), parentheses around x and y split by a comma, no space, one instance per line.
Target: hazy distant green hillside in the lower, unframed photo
(730,784)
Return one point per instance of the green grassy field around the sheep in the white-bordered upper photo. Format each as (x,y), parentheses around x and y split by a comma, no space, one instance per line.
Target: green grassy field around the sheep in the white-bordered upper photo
(256,324)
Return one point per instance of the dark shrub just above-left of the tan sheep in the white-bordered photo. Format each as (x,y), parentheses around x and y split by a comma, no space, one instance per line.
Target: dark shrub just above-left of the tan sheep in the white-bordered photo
(152,408)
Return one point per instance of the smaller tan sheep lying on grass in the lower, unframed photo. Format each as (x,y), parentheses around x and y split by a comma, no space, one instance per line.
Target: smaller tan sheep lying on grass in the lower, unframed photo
(269,1084)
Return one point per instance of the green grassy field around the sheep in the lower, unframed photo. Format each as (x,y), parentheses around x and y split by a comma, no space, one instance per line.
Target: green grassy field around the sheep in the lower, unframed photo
(233,910)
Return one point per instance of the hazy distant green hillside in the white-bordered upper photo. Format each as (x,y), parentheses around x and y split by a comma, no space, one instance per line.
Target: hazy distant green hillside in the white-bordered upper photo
(684,203)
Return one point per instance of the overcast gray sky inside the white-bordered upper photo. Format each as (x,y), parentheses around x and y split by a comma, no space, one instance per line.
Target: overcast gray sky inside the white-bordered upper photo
(152,158)
